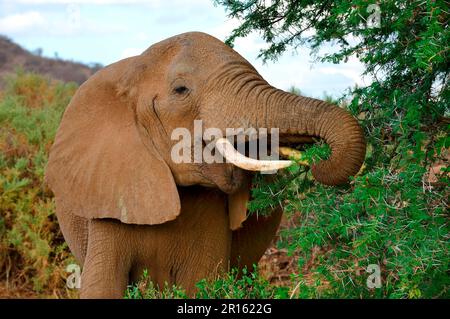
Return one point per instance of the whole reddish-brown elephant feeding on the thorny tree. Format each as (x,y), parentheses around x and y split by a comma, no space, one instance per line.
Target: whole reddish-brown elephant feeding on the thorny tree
(124,205)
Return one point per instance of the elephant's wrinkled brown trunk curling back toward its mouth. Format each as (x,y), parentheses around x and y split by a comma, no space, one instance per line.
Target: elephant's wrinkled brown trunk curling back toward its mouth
(303,116)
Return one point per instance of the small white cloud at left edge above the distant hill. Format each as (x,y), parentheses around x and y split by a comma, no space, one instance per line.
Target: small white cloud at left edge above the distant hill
(21,22)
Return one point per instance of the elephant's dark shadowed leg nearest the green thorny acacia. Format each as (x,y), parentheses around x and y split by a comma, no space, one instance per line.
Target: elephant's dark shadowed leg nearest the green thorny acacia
(251,240)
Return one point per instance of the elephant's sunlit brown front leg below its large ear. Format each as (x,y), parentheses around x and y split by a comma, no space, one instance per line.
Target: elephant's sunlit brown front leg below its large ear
(107,262)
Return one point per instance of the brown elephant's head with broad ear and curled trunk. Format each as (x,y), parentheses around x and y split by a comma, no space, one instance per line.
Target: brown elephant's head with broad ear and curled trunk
(111,156)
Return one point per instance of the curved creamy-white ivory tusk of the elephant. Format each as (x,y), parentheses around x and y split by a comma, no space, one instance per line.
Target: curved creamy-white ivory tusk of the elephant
(226,149)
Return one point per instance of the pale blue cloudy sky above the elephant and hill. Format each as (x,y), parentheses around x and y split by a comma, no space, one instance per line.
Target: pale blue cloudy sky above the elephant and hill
(105,31)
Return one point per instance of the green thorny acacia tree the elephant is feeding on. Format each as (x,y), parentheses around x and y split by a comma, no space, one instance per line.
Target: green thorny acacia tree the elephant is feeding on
(394,213)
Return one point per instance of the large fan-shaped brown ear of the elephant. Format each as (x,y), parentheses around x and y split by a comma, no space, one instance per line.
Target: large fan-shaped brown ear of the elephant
(103,163)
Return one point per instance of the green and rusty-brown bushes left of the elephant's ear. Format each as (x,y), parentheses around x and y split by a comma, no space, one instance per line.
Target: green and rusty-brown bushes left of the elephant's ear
(32,250)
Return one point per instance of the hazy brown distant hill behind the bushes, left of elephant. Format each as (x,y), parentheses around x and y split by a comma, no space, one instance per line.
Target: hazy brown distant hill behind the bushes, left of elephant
(13,56)
